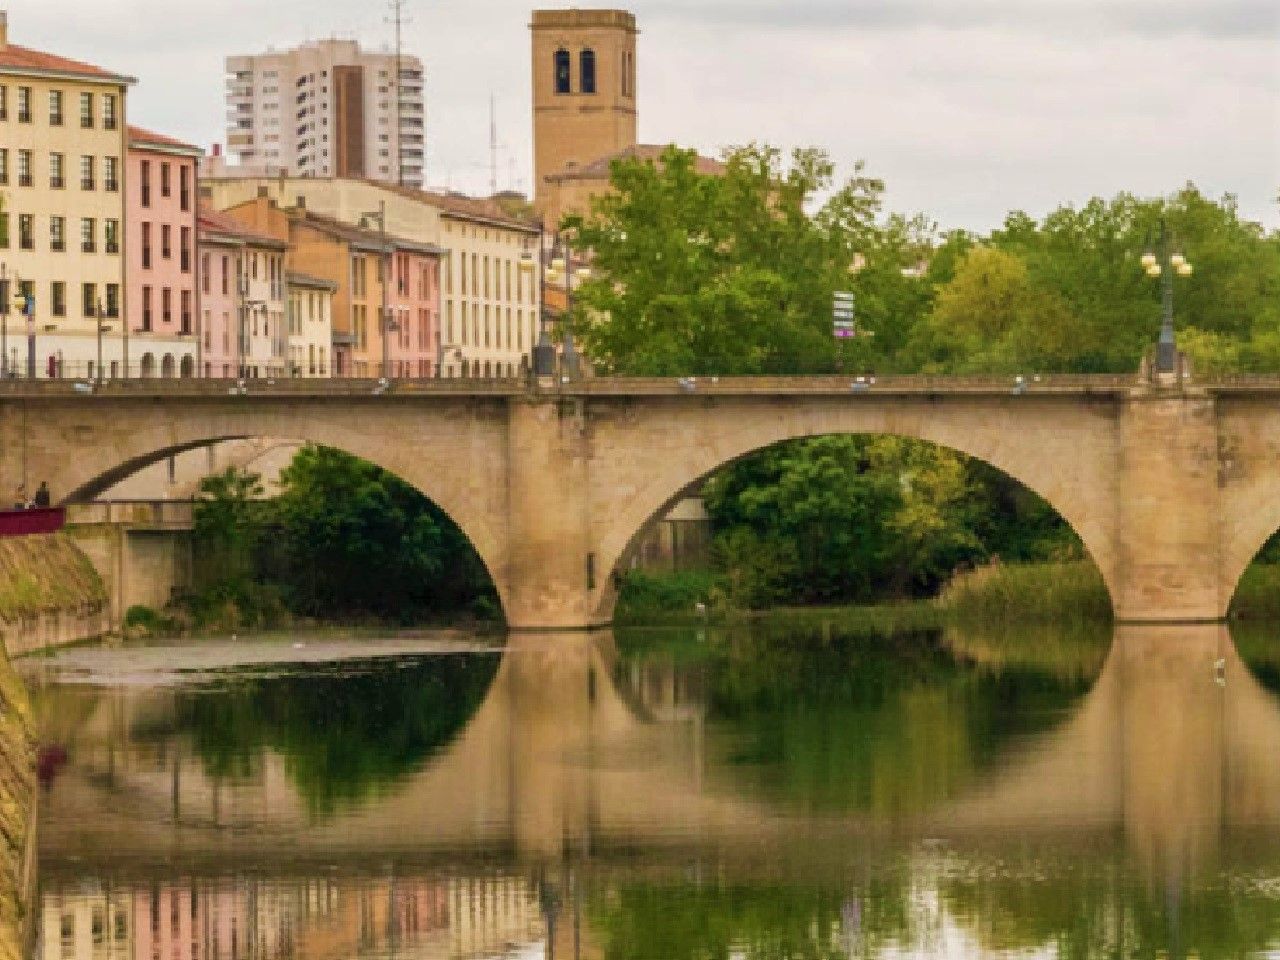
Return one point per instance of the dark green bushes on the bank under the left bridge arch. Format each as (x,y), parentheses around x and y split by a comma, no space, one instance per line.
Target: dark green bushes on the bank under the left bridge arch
(342,542)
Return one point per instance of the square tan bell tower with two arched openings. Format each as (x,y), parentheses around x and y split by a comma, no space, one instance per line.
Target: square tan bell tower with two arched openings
(584,89)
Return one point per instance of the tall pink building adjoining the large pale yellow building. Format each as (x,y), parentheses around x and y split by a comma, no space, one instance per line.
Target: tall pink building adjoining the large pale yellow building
(161,255)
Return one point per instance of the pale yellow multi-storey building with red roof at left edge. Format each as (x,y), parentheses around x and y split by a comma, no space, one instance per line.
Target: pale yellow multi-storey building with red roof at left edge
(63,143)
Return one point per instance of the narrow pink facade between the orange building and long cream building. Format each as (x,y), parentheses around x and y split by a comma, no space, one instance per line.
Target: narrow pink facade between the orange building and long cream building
(415,307)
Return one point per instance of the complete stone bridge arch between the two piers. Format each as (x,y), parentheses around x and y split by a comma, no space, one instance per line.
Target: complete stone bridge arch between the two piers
(1058,456)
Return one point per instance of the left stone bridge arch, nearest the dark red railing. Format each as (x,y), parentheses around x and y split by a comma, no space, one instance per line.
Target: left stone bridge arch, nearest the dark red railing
(428,454)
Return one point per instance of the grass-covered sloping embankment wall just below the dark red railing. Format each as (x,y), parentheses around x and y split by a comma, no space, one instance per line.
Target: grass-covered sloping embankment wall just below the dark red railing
(51,595)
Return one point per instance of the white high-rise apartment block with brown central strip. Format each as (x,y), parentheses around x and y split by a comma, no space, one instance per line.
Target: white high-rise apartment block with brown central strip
(328,109)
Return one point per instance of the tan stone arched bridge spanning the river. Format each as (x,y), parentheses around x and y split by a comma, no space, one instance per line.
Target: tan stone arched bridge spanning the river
(1173,488)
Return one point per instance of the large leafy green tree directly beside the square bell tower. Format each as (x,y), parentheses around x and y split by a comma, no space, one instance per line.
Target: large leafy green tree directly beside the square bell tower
(726,273)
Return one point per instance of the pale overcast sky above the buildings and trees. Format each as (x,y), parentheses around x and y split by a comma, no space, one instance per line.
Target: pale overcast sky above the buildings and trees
(967,108)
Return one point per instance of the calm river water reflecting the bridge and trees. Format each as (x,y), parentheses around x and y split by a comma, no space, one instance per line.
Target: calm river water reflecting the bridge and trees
(810,790)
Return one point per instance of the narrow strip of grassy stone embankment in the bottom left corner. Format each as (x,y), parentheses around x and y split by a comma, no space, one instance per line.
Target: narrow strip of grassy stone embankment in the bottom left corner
(17,817)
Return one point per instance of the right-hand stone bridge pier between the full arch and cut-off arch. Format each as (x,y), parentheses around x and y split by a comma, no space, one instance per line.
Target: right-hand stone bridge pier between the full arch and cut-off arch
(1168,545)
